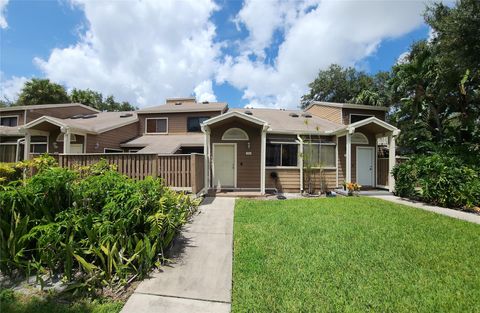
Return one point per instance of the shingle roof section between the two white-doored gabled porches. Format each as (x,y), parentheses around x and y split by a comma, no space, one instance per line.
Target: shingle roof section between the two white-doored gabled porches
(283,121)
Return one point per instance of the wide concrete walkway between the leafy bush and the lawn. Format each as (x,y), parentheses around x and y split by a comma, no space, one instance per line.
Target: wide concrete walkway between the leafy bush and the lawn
(200,279)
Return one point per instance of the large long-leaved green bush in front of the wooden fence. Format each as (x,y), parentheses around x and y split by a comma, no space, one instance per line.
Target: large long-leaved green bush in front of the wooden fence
(96,227)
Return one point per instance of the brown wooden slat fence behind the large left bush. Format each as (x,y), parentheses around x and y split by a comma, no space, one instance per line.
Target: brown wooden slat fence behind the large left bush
(180,171)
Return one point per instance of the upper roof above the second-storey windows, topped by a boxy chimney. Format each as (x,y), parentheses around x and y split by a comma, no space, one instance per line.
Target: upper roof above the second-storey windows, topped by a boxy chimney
(173,107)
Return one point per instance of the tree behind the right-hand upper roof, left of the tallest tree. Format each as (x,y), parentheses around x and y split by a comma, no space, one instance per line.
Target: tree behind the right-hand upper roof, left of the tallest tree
(347,85)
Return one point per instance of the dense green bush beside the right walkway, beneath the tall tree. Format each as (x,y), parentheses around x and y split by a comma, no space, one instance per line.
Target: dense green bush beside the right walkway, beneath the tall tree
(440,180)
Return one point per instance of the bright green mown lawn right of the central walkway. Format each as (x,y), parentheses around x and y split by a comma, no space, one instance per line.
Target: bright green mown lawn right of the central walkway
(352,255)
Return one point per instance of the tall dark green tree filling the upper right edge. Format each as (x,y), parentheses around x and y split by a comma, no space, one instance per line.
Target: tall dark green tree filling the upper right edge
(437,88)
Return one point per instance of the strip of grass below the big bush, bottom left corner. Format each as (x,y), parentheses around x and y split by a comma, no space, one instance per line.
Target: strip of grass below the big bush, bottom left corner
(14,302)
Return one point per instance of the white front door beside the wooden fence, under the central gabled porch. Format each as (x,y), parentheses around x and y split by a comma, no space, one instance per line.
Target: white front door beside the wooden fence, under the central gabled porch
(224,167)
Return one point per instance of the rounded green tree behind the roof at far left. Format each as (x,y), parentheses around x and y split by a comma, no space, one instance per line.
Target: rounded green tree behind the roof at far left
(42,91)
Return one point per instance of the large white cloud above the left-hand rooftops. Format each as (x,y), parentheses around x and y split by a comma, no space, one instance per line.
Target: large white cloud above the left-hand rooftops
(140,51)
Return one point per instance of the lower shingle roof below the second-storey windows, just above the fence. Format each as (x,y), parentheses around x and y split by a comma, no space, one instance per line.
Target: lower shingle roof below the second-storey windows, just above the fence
(165,144)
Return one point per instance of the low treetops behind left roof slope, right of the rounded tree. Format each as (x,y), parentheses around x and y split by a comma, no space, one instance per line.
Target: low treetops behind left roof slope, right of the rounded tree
(95,100)
